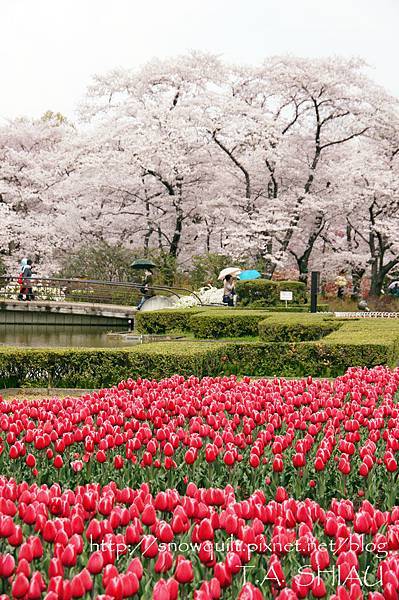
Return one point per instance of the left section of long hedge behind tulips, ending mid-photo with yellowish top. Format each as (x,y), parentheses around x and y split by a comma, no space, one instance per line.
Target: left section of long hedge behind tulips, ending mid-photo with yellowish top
(95,368)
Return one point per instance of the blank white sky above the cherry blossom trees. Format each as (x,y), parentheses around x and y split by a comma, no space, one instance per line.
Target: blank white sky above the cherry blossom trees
(50,48)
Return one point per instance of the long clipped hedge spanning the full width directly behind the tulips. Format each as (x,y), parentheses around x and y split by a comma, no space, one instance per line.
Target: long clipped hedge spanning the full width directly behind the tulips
(355,343)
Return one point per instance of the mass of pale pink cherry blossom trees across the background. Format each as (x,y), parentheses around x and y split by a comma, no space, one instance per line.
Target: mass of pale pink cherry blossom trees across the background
(294,162)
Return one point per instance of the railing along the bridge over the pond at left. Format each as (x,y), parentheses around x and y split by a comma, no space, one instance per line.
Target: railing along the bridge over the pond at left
(86,290)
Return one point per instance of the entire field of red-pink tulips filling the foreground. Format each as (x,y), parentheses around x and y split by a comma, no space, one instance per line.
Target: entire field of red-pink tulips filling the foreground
(213,488)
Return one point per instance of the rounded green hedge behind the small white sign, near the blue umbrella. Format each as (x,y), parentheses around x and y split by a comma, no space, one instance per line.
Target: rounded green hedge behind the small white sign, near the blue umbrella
(265,292)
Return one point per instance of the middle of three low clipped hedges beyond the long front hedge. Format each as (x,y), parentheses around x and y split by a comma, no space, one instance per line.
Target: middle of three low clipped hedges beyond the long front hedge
(226,324)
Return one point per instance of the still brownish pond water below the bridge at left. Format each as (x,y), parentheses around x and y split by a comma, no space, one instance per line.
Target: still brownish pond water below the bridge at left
(32,336)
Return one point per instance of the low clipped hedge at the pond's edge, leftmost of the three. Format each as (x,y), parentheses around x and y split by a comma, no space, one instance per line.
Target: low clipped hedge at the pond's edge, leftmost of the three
(164,321)
